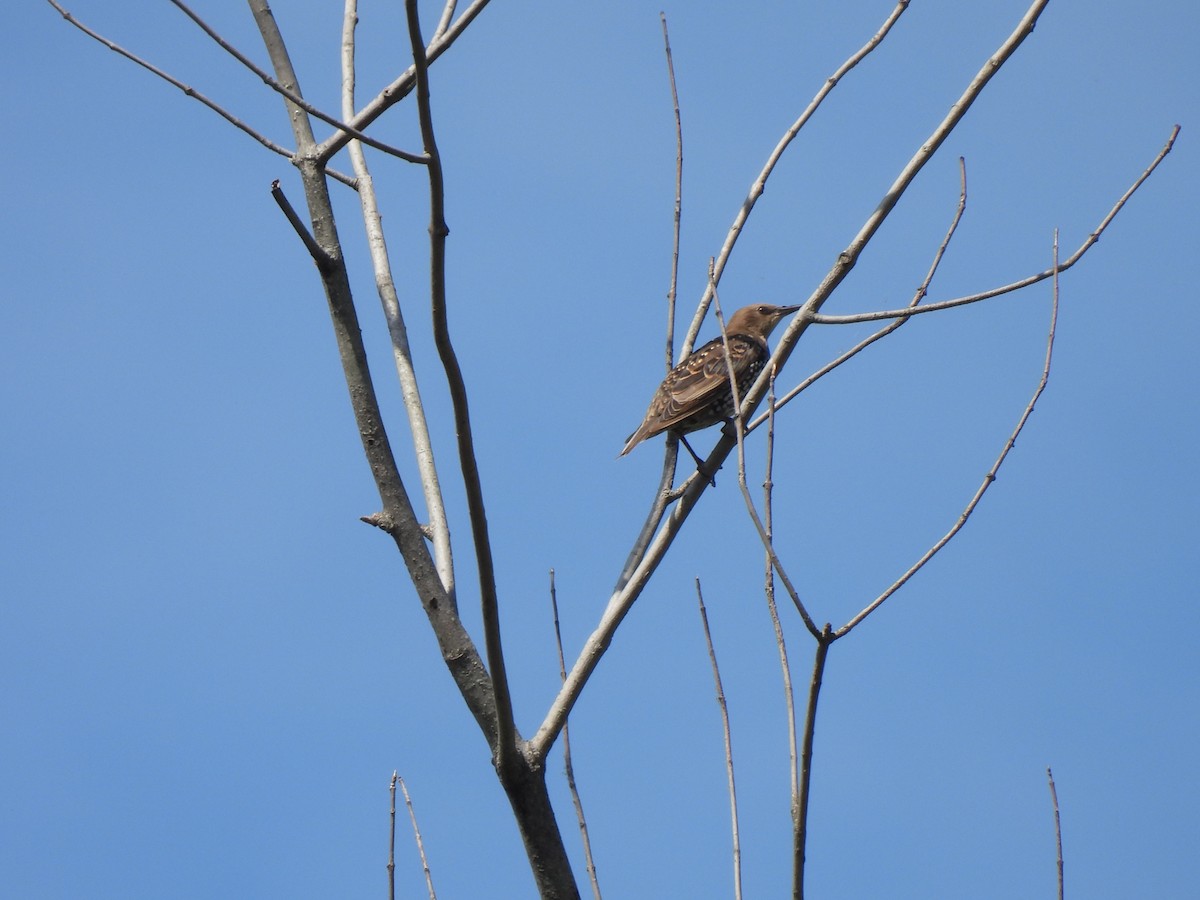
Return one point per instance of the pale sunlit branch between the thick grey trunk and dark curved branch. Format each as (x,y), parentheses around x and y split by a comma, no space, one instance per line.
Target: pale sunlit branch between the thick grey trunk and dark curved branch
(386,285)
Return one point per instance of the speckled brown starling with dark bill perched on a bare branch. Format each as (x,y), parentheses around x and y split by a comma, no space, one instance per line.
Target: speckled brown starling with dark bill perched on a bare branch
(697,393)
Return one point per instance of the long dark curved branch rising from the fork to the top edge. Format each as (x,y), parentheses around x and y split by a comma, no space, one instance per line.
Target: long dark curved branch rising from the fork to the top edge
(506,746)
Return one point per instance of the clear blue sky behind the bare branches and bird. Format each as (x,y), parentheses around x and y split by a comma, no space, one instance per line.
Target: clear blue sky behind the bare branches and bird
(211,668)
